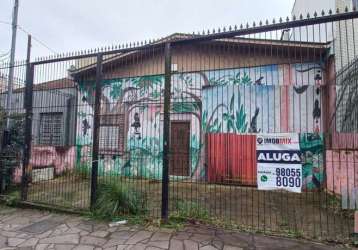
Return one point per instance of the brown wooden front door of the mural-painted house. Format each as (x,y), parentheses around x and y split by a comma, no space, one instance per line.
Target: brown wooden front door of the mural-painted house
(179,148)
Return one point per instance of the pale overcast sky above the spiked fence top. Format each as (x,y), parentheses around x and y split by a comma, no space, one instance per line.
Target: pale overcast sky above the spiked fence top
(71,25)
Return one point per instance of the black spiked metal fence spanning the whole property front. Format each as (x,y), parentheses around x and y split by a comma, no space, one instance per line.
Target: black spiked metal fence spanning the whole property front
(173,126)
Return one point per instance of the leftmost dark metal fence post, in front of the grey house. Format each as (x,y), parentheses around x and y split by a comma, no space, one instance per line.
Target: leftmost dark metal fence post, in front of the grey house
(28,97)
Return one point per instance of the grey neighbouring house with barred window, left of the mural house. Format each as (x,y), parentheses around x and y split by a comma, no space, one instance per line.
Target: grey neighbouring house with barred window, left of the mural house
(54,108)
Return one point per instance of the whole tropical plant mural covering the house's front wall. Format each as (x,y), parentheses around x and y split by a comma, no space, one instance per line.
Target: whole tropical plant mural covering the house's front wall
(244,100)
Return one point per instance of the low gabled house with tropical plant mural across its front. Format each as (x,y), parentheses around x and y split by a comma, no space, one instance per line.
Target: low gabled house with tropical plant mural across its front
(237,86)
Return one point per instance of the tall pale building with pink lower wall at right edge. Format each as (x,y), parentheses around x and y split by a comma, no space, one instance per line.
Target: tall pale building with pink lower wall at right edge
(342,145)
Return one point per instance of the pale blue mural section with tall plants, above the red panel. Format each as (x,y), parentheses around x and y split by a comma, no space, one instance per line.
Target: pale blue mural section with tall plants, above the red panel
(262,109)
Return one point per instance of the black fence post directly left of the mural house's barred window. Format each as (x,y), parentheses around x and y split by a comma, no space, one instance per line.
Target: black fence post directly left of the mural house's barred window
(96,128)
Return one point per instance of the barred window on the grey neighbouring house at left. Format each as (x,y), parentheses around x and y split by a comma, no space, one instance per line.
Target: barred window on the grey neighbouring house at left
(51,129)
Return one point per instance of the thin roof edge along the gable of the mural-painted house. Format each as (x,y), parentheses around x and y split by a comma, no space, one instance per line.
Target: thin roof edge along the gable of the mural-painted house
(236,40)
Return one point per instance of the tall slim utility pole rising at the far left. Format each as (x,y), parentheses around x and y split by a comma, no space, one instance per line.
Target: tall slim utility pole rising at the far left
(12,63)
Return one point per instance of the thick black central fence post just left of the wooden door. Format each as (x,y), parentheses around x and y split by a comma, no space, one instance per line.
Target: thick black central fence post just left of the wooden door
(166,131)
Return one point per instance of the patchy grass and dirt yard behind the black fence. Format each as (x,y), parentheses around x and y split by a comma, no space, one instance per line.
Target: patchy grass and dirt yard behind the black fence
(310,214)
